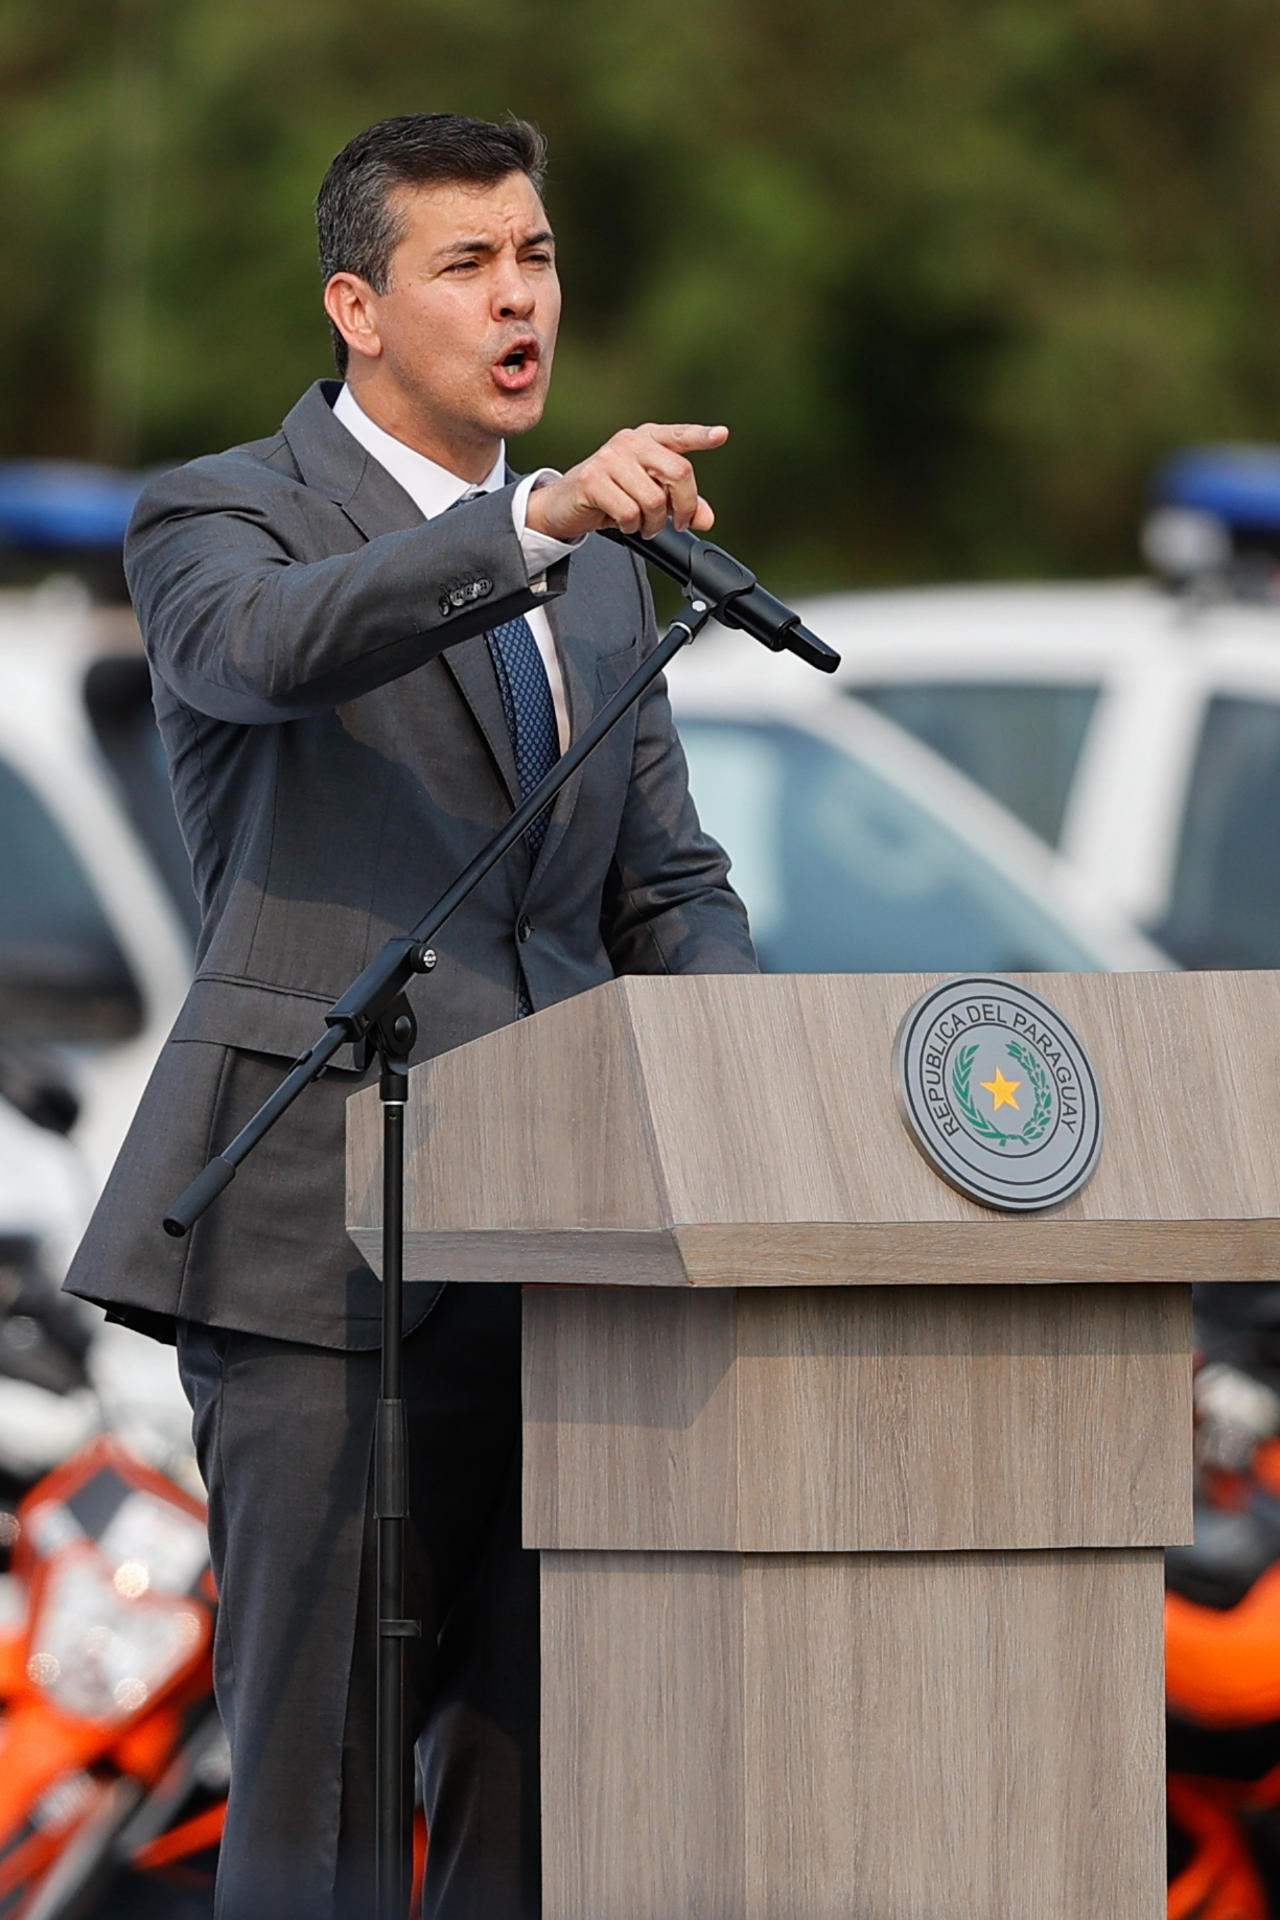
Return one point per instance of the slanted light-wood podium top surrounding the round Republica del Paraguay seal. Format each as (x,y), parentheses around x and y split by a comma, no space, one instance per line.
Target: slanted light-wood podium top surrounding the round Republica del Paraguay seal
(744,1130)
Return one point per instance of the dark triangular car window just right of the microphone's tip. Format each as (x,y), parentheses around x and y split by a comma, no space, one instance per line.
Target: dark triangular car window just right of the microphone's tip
(1022,744)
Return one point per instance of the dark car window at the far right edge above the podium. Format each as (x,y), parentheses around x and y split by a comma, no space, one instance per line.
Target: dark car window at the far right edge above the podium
(1225,900)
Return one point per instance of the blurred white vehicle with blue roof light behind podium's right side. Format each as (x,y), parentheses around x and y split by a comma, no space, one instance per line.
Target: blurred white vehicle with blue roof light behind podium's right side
(1131,725)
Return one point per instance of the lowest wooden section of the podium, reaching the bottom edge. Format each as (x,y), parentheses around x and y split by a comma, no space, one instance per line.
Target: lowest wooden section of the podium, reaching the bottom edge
(901,1737)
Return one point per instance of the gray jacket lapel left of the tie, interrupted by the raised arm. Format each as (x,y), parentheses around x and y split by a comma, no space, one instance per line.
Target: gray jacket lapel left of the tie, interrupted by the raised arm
(333,462)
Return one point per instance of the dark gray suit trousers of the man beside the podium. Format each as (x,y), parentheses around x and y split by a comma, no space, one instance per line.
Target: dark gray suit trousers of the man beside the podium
(285,1439)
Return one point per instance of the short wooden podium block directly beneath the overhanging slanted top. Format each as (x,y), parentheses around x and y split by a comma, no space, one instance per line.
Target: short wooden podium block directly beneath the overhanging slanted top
(872,1420)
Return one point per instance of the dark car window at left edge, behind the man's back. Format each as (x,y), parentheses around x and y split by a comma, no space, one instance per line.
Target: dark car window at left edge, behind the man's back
(62,972)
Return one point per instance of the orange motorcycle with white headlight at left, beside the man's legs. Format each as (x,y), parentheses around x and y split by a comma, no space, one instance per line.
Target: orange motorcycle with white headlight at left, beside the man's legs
(112,1762)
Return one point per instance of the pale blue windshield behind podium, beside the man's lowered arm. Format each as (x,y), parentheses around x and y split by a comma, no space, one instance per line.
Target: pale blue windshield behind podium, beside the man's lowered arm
(843,873)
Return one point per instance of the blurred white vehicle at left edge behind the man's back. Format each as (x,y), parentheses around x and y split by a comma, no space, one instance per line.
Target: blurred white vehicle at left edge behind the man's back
(95,949)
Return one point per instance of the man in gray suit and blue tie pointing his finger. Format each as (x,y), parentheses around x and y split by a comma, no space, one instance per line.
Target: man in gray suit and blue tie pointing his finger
(354,688)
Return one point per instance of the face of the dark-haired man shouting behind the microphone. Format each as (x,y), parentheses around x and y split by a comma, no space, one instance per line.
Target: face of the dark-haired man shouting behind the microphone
(462,345)
